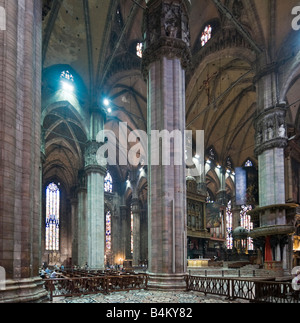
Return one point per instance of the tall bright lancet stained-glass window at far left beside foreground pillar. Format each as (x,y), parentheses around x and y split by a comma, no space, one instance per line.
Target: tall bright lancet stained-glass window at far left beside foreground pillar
(52,217)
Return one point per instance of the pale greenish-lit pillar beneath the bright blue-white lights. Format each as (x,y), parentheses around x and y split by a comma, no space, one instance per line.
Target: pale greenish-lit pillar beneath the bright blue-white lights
(95,195)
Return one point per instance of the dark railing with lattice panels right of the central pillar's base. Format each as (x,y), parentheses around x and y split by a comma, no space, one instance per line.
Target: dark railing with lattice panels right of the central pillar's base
(250,290)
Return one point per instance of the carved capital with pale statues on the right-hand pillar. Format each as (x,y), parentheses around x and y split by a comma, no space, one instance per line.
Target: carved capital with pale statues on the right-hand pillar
(270,129)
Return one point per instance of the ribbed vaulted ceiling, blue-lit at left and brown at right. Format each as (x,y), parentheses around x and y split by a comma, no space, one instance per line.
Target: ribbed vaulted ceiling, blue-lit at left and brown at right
(96,40)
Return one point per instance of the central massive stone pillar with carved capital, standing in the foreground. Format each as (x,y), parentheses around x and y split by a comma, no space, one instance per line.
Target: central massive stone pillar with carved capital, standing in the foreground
(165,58)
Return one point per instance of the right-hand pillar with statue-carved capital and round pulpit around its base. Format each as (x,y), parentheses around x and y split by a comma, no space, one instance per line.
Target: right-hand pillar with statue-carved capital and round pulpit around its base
(274,228)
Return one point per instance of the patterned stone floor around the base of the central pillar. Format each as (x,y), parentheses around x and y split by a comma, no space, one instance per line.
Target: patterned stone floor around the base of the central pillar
(140,297)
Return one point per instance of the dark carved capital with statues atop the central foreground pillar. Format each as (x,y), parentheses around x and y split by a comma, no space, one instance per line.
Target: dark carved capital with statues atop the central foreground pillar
(166,30)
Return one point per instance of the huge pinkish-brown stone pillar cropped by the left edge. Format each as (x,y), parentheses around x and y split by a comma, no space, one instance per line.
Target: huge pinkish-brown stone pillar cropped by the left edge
(20,146)
